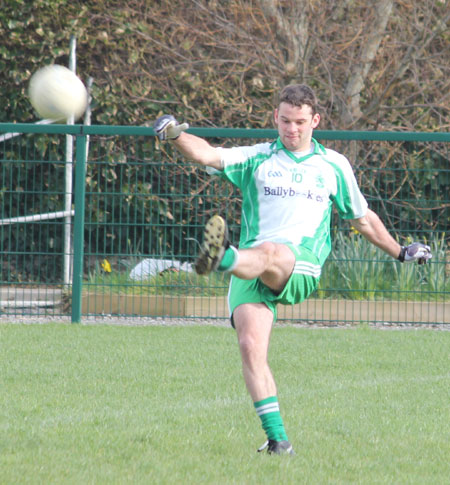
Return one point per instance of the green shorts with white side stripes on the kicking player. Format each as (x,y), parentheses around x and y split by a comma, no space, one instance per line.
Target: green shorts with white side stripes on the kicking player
(302,282)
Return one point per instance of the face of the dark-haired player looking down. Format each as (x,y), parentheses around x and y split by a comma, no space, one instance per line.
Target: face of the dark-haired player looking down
(295,126)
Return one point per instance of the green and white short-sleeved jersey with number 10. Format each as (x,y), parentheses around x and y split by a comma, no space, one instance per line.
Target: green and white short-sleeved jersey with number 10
(288,199)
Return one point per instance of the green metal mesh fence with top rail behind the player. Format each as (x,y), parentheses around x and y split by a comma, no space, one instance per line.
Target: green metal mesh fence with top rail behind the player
(138,209)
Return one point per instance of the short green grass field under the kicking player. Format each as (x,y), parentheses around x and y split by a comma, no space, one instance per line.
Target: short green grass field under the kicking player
(166,404)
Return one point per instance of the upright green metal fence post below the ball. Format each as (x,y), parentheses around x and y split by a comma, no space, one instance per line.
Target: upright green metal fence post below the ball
(78,233)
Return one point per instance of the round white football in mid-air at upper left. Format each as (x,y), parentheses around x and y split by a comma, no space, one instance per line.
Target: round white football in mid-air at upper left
(57,93)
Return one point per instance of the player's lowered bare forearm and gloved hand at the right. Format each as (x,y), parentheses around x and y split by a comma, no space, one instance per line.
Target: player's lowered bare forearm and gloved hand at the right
(371,227)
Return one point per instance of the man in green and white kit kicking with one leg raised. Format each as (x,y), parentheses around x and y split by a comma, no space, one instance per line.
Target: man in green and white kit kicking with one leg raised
(288,188)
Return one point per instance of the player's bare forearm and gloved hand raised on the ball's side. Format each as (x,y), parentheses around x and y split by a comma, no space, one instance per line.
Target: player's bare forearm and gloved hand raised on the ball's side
(192,147)
